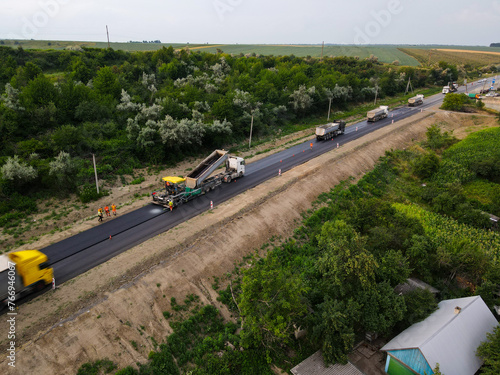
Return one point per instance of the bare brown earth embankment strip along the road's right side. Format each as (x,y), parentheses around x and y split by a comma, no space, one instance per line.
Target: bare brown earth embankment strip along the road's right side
(99,313)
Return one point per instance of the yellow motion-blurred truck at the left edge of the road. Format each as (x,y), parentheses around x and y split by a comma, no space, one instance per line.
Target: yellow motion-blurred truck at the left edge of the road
(23,272)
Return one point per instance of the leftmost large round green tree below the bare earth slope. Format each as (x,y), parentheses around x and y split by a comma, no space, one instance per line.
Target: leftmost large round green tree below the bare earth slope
(271,302)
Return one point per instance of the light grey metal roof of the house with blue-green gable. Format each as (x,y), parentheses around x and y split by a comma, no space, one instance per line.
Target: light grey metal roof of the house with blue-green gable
(450,339)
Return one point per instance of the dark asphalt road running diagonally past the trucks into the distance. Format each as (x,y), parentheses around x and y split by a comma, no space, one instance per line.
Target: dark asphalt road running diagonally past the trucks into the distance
(88,249)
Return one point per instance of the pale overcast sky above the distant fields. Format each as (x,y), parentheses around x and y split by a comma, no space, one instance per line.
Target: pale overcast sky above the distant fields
(457,22)
